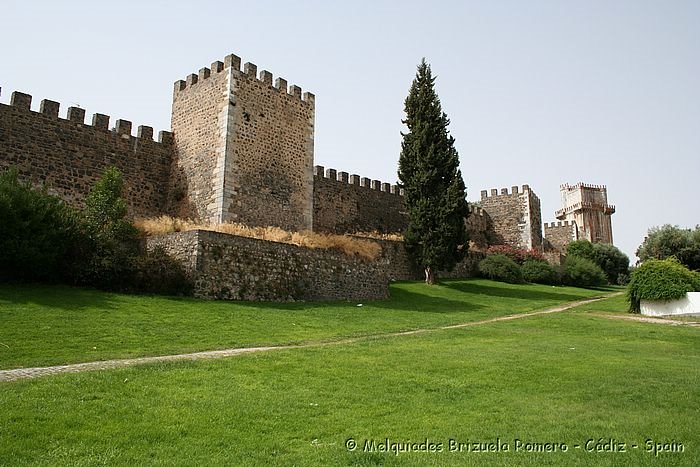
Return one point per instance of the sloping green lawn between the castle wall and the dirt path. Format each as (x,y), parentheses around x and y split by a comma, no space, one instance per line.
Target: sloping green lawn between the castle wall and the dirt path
(44,325)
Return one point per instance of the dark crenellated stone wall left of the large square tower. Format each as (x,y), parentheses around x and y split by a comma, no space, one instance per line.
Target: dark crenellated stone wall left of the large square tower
(69,155)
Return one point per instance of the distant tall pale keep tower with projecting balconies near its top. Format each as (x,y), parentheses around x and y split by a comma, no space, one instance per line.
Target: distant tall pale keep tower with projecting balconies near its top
(587,206)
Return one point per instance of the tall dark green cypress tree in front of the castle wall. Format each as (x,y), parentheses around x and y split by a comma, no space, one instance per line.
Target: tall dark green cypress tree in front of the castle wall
(429,173)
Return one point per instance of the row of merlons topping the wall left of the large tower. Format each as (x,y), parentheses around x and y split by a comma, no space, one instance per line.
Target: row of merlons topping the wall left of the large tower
(51,109)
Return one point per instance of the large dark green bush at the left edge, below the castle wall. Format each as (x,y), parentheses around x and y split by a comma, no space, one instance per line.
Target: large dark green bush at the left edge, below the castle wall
(39,233)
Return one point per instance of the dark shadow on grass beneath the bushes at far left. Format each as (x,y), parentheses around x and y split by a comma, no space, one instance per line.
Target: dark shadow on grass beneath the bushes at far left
(55,296)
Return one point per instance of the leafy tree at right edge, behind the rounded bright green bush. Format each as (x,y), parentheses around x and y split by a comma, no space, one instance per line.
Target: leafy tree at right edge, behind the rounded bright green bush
(672,241)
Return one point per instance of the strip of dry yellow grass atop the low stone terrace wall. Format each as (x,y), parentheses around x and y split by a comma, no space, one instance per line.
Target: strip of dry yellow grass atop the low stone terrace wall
(344,243)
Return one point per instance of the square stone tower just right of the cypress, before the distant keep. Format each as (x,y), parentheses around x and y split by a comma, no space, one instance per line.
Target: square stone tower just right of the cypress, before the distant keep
(516,216)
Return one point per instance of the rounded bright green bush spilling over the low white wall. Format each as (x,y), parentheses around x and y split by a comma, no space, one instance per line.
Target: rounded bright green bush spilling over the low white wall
(660,280)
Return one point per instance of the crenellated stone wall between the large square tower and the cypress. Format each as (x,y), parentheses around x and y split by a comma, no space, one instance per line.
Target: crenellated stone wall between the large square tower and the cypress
(348,203)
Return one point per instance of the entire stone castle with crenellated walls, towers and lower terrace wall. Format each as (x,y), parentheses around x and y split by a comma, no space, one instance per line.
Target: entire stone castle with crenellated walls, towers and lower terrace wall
(242,151)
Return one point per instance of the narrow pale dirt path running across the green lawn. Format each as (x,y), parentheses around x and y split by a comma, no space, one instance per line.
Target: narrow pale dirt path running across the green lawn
(25,373)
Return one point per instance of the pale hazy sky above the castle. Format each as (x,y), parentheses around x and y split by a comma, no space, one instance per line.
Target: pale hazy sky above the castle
(538,92)
